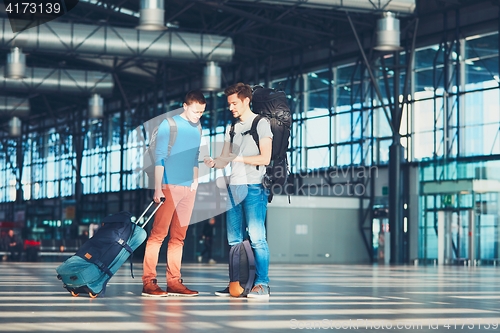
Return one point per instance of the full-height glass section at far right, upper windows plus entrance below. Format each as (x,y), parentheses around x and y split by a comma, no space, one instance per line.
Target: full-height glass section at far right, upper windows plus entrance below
(459,121)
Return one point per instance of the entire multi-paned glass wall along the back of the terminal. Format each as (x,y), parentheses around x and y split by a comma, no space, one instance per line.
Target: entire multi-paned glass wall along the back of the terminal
(338,120)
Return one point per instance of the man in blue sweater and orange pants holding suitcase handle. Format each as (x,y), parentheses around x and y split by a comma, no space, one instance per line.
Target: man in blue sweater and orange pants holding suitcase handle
(176,179)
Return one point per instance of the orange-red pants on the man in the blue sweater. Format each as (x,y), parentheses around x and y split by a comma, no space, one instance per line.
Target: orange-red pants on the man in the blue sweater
(173,215)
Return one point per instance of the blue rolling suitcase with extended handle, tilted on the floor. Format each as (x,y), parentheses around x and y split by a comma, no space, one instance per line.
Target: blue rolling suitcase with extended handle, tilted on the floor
(99,258)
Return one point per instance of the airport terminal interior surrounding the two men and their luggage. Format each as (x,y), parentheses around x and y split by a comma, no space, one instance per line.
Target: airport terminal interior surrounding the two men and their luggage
(389,219)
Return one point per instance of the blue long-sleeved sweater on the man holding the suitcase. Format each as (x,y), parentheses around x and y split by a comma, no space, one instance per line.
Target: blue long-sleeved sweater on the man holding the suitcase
(184,154)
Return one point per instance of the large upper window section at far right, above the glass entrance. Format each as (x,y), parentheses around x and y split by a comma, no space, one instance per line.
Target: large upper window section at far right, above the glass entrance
(460,115)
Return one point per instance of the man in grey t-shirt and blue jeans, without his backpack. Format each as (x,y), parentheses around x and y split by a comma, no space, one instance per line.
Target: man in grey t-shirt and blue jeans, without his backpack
(250,197)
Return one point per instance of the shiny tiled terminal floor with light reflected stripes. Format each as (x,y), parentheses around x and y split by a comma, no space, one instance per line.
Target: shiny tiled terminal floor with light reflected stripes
(305,297)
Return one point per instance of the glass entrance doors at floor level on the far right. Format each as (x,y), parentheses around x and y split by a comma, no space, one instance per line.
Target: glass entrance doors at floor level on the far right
(460,229)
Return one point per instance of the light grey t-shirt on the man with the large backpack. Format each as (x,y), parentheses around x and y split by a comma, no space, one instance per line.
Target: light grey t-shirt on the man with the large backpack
(244,145)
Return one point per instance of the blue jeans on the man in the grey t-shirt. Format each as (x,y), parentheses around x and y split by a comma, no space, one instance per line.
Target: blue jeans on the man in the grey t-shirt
(249,210)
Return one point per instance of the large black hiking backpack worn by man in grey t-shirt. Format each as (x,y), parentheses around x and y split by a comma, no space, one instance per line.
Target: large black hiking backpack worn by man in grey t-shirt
(272,104)
